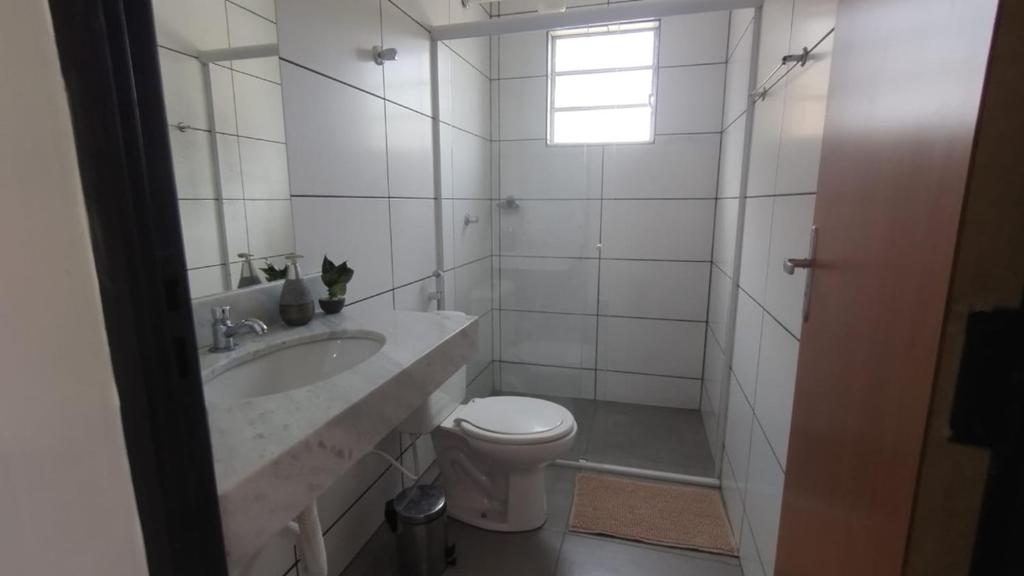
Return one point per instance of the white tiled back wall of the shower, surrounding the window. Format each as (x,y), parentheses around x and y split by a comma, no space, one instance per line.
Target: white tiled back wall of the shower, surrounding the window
(605,266)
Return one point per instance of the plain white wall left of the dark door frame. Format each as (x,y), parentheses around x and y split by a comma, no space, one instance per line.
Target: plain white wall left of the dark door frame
(66,492)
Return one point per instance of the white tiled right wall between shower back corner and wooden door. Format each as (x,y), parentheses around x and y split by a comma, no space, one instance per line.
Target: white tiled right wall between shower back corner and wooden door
(774,214)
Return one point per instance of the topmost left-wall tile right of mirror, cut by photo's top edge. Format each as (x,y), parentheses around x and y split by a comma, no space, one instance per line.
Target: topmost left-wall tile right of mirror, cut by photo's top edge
(334,38)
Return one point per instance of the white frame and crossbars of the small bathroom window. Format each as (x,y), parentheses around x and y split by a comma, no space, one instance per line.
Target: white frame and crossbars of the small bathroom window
(603,30)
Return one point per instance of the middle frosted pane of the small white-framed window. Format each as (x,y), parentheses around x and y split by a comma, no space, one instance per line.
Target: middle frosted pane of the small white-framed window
(609,89)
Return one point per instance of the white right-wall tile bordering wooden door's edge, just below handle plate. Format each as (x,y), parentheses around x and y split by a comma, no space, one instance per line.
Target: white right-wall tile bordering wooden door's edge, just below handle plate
(777,380)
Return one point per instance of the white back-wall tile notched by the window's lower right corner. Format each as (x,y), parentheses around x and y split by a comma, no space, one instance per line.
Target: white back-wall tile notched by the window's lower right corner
(685,167)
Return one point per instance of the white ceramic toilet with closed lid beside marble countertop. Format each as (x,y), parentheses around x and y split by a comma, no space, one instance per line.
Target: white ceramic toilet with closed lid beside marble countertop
(492,454)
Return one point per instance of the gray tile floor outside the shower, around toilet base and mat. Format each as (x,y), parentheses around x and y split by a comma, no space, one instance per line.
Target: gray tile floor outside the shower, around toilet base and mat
(551,551)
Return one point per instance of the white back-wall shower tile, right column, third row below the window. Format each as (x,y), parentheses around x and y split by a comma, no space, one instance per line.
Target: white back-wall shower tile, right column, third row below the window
(667,291)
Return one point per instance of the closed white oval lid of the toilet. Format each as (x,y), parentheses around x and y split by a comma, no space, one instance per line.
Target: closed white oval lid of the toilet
(510,420)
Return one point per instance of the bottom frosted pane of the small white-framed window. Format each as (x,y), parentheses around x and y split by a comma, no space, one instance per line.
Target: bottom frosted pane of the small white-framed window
(614,126)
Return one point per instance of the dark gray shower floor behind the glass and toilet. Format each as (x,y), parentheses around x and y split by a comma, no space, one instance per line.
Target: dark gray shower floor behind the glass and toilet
(670,440)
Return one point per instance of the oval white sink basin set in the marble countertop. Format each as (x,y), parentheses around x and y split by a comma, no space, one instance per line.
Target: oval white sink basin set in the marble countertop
(292,368)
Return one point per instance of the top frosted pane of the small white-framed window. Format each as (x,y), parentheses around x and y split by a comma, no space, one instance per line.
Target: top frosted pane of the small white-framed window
(594,53)
